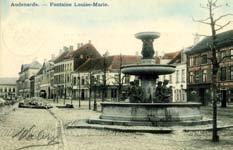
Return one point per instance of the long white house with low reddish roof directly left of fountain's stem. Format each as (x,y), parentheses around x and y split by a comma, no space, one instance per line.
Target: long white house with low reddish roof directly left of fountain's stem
(99,73)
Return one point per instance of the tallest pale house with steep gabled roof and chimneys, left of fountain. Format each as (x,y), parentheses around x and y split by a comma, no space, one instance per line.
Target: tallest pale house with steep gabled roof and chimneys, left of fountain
(66,63)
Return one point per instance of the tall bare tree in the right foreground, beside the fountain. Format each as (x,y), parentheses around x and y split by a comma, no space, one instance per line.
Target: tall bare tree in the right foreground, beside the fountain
(214,22)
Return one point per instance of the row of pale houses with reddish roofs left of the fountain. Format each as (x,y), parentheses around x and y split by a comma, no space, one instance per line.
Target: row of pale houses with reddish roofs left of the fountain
(69,75)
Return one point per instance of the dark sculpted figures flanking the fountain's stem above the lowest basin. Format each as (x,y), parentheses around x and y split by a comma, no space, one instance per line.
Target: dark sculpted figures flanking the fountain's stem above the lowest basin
(162,94)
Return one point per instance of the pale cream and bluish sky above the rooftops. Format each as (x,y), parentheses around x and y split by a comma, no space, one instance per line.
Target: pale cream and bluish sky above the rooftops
(35,33)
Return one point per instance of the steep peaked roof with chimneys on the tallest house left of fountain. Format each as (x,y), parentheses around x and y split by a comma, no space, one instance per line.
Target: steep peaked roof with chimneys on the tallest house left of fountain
(86,50)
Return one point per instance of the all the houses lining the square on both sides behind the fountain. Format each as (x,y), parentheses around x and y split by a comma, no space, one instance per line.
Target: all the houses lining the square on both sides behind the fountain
(73,73)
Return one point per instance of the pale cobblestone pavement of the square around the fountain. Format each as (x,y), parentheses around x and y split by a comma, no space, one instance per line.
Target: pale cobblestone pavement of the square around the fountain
(52,124)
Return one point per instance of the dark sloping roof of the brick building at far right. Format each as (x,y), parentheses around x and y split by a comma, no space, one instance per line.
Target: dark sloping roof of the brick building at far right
(223,39)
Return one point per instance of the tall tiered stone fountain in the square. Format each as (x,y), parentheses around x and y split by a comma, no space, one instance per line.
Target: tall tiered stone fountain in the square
(147,112)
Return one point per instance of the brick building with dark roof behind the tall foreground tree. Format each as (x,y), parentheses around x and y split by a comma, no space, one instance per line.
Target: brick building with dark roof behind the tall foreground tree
(199,69)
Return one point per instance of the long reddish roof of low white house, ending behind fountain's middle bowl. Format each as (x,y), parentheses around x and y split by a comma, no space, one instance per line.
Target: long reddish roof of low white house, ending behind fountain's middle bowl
(111,63)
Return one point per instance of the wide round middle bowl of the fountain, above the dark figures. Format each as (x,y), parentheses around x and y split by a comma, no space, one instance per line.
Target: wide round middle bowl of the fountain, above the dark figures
(147,69)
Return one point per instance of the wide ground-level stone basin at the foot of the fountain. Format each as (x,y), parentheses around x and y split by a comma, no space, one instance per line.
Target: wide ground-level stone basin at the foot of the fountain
(150,114)
